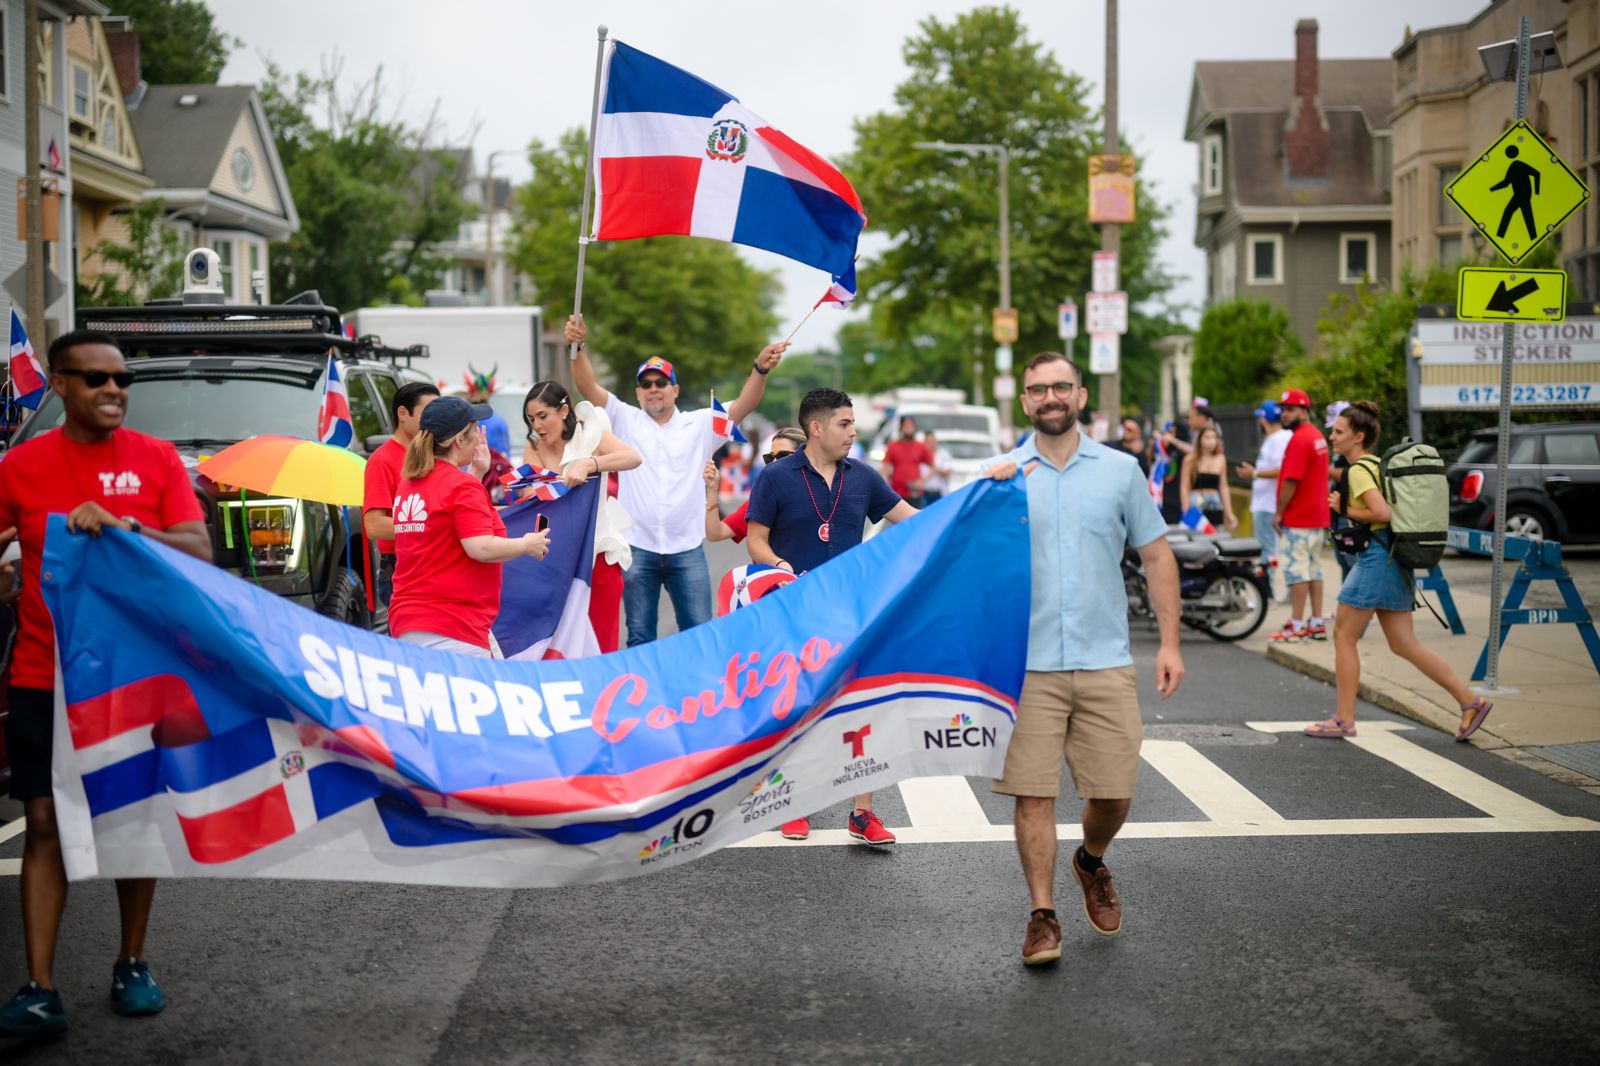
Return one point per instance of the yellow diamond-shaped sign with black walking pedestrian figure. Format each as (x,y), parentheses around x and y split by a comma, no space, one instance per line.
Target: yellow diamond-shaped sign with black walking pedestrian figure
(1518,193)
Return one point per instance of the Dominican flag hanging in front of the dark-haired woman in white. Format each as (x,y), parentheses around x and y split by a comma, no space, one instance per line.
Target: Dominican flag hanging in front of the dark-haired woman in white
(545,603)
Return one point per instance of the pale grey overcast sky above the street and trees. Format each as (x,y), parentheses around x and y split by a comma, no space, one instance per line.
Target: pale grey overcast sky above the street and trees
(510,71)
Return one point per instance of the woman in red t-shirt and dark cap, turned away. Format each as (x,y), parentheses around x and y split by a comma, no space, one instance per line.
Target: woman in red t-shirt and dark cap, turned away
(449,537)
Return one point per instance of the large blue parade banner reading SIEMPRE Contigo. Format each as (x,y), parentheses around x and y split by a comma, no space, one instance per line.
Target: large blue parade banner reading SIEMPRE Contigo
(209,729)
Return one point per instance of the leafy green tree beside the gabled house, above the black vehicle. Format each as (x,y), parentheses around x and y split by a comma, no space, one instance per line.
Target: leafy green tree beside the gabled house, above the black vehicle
(375,201)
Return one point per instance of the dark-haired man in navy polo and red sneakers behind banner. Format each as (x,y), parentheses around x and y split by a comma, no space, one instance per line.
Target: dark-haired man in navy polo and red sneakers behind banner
(812,507)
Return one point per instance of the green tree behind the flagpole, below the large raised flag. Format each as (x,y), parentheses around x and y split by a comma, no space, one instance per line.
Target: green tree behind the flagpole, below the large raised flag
(687,300)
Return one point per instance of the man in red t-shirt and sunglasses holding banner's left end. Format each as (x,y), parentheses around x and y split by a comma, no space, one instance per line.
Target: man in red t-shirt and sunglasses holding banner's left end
(103,478)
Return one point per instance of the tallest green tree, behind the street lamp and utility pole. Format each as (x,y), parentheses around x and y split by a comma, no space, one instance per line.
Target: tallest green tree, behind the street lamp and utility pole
(980,79)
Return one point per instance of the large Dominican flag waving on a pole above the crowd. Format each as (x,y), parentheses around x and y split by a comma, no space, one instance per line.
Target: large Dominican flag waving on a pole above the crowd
(678,156)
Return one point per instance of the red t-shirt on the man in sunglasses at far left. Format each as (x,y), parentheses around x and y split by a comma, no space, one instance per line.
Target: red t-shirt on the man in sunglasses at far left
(134,476)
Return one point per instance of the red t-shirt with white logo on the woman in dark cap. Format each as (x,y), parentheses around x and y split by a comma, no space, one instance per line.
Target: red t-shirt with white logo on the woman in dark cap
(439,588)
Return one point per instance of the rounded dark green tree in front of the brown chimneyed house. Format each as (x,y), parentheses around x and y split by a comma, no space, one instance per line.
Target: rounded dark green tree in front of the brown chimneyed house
(1241,347)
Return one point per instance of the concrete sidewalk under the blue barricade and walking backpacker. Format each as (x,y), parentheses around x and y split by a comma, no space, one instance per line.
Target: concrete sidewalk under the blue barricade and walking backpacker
(1550,724)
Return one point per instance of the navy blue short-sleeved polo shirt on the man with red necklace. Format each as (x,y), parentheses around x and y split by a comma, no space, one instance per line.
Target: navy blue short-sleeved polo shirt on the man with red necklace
(782,503)
